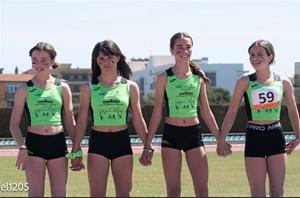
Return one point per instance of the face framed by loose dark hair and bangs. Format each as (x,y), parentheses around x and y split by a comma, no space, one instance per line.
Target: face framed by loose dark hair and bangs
(107,61)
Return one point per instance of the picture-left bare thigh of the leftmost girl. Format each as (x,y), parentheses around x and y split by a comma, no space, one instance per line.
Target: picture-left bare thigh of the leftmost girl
(35,175)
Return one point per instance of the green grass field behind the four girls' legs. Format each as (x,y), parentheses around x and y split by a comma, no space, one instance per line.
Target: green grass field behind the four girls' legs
(227,177)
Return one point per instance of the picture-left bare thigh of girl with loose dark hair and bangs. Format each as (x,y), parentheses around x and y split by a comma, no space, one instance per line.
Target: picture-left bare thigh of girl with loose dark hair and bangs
(97,167)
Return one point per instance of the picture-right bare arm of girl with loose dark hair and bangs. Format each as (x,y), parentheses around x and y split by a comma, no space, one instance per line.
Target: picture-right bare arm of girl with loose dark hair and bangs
(135,107)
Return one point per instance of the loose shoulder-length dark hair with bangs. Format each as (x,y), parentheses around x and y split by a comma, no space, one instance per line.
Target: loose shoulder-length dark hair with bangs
(109,47)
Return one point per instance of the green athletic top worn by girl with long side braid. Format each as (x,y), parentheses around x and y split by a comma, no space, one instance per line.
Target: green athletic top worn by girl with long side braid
(181,95)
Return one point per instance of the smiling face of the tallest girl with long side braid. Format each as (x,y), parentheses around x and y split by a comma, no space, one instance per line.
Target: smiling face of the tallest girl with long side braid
(182,49)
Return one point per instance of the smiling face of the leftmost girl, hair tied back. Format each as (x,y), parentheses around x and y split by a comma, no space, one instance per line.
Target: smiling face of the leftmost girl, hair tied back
(41,61)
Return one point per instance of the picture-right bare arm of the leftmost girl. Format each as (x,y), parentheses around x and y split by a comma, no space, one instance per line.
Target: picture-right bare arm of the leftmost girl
(68,110)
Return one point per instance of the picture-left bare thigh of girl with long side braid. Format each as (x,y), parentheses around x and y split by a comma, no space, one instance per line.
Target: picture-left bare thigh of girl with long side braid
(171,160)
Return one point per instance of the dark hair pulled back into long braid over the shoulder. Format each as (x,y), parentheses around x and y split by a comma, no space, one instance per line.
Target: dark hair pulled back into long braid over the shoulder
(195,68)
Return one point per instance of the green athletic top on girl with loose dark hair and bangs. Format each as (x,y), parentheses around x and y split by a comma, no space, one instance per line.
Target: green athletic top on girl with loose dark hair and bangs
(109,105)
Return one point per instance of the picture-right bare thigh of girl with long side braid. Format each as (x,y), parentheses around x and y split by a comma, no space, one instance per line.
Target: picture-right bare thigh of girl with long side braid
(197,162)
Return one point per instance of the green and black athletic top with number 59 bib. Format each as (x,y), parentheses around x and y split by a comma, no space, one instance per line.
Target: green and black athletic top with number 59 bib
(263,102)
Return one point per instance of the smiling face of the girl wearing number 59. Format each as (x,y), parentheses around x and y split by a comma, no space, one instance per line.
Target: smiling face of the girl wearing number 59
(259,57)
